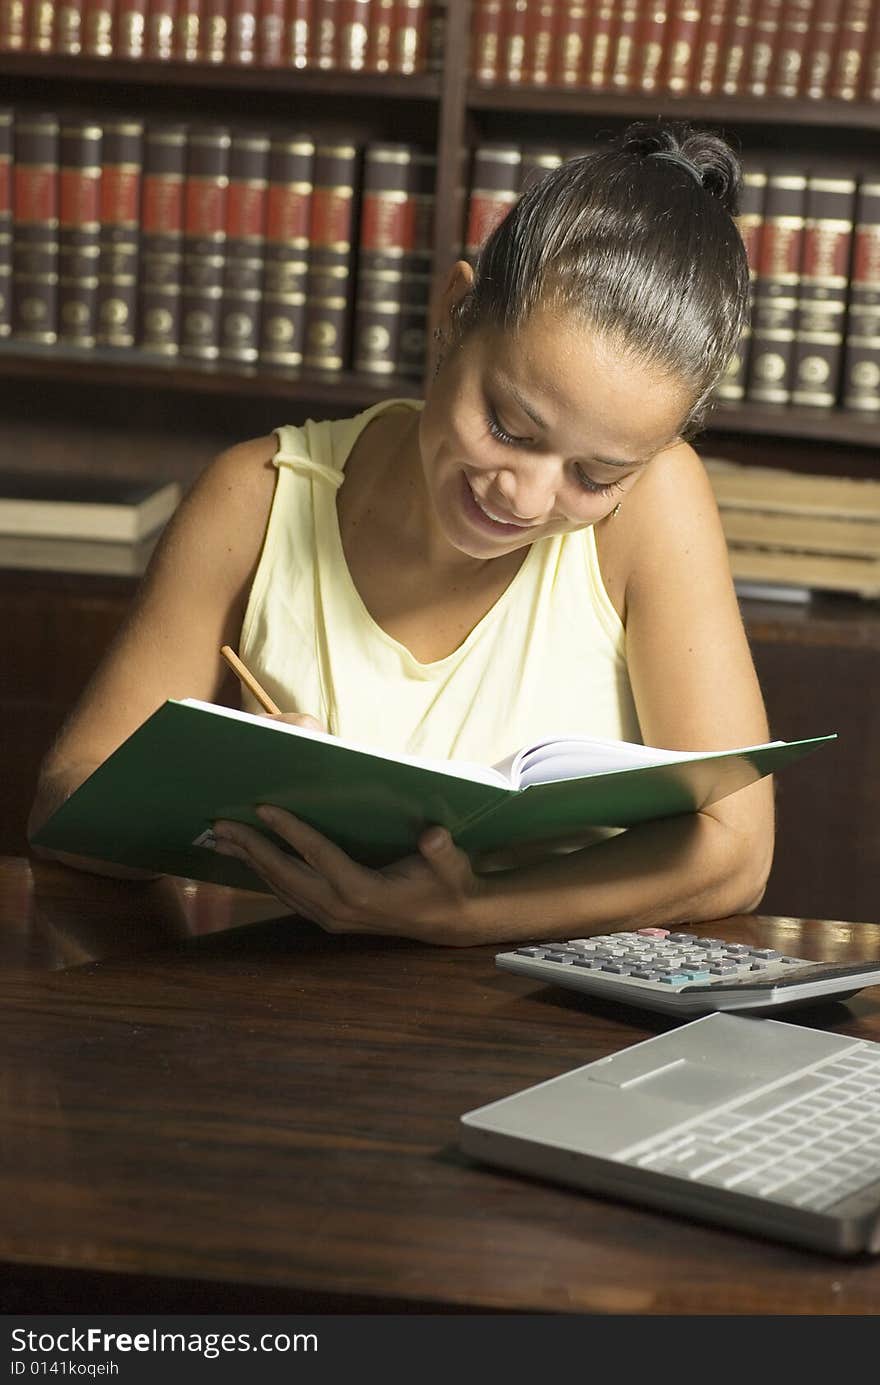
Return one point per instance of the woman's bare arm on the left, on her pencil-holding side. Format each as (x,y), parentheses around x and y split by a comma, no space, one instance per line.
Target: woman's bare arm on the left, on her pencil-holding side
(191,603)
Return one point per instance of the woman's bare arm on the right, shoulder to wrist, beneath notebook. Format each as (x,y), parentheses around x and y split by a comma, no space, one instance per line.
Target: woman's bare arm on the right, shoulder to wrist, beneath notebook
(666,564)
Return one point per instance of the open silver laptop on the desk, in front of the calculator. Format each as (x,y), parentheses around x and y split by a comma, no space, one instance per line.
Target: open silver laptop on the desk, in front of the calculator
(756,1124)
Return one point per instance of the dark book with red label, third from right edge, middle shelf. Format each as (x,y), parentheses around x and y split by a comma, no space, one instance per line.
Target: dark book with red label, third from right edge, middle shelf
(777,289)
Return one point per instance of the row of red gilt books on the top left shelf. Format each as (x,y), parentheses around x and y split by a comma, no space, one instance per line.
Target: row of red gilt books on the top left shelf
(329,35)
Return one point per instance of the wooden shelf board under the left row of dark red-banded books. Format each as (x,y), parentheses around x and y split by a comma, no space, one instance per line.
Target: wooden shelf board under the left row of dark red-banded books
(107,368)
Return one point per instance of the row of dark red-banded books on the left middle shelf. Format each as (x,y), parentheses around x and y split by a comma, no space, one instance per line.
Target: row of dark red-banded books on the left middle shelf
(227,246)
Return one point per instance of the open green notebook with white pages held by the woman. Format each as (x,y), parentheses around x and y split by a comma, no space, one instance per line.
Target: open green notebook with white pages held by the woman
(153,803)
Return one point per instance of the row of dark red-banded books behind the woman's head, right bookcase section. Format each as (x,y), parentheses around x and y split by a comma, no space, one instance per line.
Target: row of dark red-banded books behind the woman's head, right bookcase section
(814,250)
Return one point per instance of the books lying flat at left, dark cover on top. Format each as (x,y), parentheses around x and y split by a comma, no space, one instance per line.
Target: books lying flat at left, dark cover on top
(82,524)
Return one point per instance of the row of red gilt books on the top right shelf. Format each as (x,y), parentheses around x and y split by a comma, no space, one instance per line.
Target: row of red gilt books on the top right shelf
(810,49)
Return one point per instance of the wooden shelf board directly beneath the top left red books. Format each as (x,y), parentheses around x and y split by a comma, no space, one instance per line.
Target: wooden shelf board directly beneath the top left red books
(425,87)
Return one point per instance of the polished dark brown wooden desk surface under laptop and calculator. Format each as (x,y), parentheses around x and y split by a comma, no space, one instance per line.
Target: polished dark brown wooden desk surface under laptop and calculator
(210,1107)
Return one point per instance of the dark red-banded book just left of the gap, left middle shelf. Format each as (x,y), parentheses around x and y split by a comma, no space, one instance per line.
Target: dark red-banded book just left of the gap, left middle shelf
(328,322)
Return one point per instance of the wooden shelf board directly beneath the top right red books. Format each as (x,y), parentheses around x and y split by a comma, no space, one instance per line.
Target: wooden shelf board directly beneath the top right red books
(860,116)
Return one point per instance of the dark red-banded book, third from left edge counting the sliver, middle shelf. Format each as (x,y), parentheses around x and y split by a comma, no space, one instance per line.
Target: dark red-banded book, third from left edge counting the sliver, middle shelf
(80,231)
